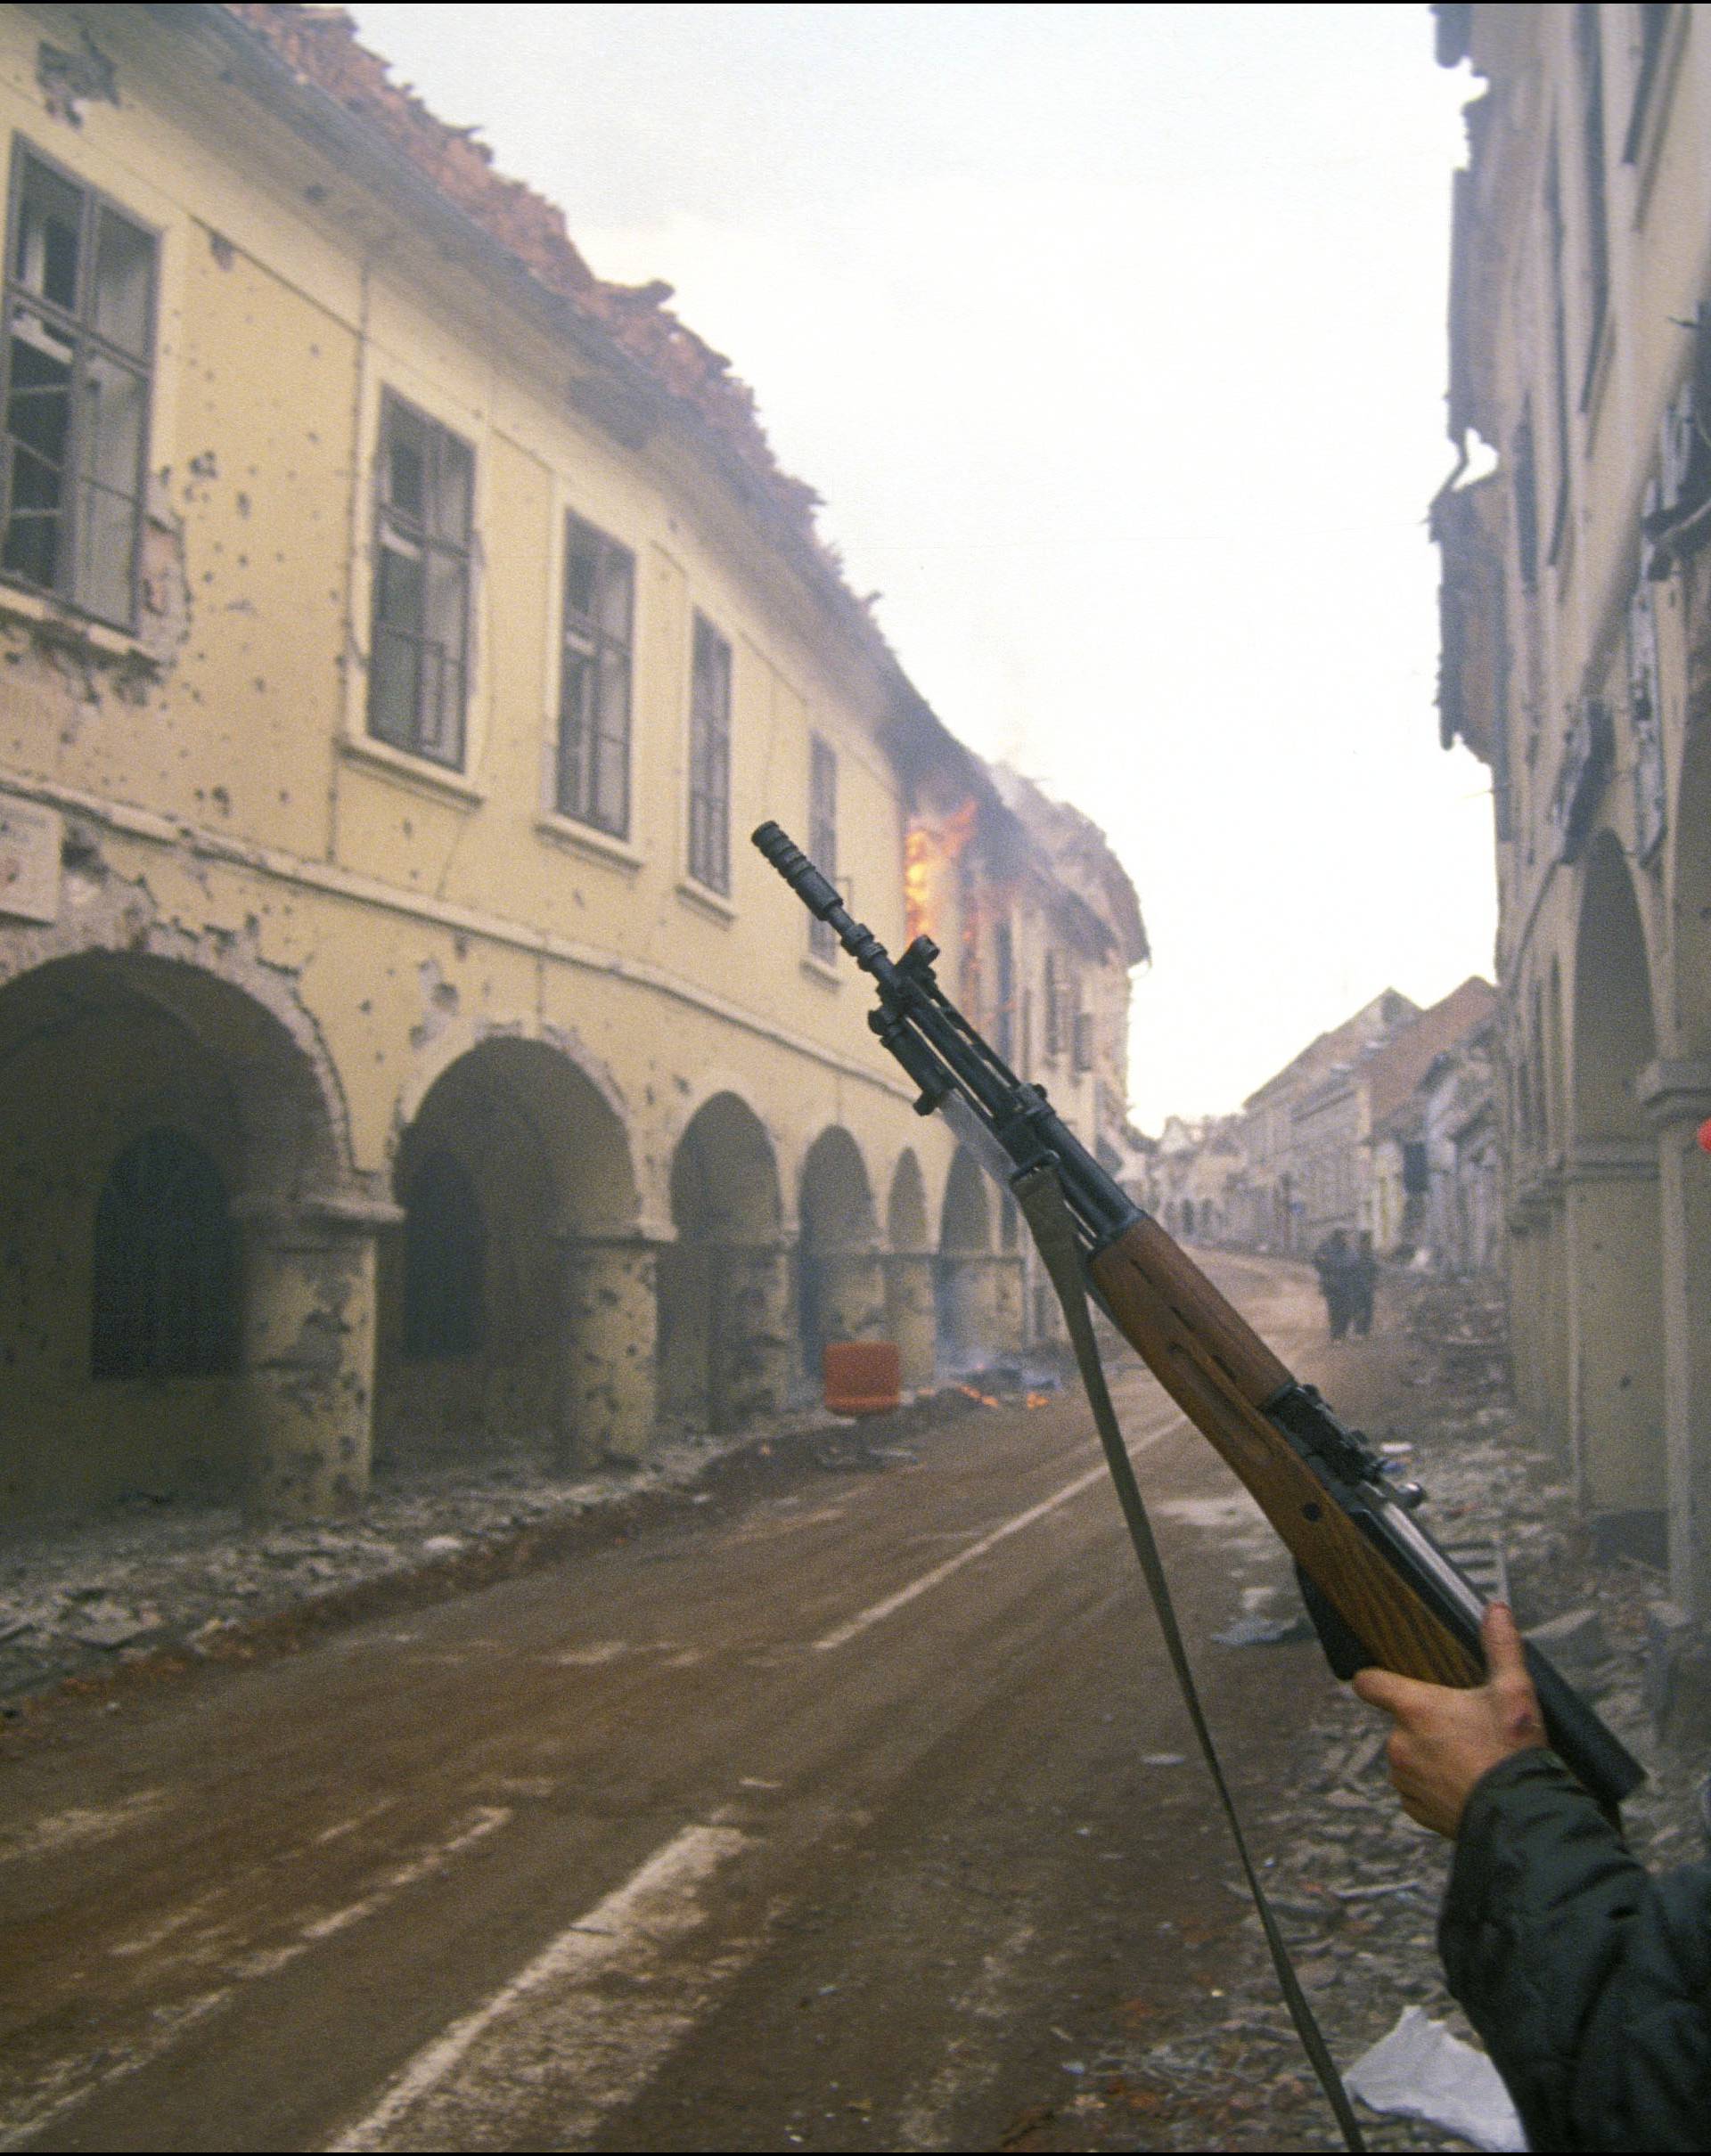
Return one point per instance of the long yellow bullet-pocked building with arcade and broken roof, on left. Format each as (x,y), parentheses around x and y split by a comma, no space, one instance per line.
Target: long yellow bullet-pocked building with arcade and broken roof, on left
(405,1051)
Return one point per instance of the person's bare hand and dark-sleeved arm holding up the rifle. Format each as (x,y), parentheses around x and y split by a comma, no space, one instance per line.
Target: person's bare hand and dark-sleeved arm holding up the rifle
(1589,1982)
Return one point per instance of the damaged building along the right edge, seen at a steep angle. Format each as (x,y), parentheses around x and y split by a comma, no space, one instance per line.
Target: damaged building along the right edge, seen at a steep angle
(1578,667)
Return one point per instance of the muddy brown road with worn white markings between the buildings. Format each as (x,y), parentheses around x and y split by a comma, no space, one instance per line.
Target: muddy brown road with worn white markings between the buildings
(840,1810)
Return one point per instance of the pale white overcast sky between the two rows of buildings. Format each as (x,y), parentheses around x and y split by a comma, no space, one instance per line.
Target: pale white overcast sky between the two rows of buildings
(1114,340)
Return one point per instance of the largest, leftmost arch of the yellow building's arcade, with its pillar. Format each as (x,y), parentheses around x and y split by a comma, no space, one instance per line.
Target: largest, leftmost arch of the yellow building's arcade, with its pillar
(111,1058)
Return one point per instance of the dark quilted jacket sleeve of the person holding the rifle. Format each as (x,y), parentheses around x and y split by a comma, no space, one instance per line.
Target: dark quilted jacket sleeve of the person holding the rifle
(1587,1978)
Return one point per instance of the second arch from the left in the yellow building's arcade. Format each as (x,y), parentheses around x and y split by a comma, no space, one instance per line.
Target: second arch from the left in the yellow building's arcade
(512,1293)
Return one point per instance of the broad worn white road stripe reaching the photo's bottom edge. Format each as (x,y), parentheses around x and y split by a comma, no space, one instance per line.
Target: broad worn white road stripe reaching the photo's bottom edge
(551,2032)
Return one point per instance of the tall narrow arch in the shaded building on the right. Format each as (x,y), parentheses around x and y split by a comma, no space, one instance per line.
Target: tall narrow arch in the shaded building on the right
(1613,1217)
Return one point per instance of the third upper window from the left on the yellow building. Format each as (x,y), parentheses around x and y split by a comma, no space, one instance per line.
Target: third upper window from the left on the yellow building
(594,682)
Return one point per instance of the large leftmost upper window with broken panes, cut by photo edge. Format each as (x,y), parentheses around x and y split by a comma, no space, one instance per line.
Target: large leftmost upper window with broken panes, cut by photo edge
(81,305)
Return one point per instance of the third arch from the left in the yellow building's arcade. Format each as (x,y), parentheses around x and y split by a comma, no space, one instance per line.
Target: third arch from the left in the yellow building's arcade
(726,1295)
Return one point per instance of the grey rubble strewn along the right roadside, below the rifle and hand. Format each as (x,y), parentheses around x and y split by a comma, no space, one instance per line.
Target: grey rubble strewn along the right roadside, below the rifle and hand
(1358,1885)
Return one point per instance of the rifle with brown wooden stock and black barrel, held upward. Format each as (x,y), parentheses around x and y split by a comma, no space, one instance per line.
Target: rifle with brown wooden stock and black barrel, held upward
(1378,1586)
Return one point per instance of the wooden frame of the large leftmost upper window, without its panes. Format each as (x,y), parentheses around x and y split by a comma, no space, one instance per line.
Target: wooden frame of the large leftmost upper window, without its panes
(79,329)
